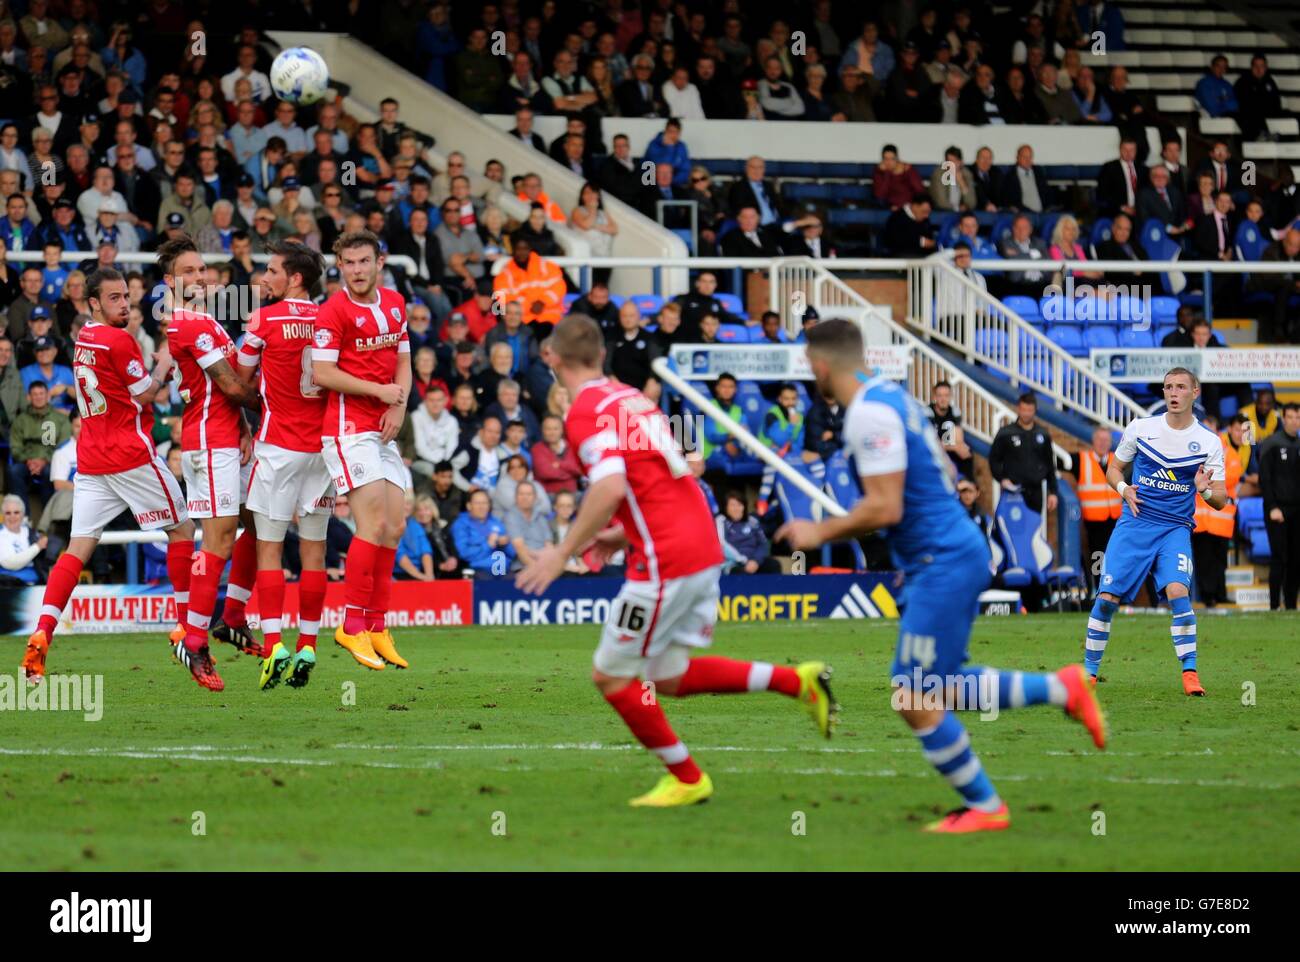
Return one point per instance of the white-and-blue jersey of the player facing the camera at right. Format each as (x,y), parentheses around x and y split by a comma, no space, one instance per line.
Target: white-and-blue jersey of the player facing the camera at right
(1165,465)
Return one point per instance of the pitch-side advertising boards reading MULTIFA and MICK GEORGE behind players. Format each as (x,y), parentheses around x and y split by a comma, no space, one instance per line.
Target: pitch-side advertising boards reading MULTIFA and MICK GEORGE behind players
(110,609)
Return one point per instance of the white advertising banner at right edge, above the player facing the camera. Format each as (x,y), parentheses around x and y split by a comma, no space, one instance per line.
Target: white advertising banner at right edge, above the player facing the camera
(1215,365)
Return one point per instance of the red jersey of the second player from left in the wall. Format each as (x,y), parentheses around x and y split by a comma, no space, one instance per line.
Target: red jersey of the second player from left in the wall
(211,419)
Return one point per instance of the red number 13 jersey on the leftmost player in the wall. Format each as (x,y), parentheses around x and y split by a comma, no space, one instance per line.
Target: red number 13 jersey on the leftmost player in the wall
(116,428)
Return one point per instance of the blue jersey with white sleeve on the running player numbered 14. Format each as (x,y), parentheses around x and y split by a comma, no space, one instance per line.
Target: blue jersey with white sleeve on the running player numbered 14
(887,431)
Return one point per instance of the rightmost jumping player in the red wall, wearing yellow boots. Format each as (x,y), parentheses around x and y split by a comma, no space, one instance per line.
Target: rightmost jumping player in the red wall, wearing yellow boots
(362,357)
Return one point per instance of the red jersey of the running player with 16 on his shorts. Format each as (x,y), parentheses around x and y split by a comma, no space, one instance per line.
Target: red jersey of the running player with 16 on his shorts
(618,431)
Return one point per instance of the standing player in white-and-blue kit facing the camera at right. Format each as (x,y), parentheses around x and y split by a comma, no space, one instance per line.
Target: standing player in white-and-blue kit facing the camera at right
(1173,458)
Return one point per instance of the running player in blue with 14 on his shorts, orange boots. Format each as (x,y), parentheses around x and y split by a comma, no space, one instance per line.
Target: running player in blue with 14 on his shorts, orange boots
(944,560)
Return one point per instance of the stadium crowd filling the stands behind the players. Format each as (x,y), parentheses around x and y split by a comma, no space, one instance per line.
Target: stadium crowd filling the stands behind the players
(118,132)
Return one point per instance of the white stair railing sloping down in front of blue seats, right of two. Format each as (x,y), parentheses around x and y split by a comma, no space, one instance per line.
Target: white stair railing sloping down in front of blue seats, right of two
(948,307)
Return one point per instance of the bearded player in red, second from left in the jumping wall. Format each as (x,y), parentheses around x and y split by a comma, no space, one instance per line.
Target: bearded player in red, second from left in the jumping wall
(218,449)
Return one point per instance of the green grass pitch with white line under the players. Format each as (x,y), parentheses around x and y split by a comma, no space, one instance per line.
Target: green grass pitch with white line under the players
(505,721)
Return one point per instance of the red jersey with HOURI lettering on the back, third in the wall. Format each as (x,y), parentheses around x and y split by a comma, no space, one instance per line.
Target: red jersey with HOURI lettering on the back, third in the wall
(280,337)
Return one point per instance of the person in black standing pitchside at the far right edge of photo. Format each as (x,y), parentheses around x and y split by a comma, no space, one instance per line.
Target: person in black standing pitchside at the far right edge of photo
(1280,484)
